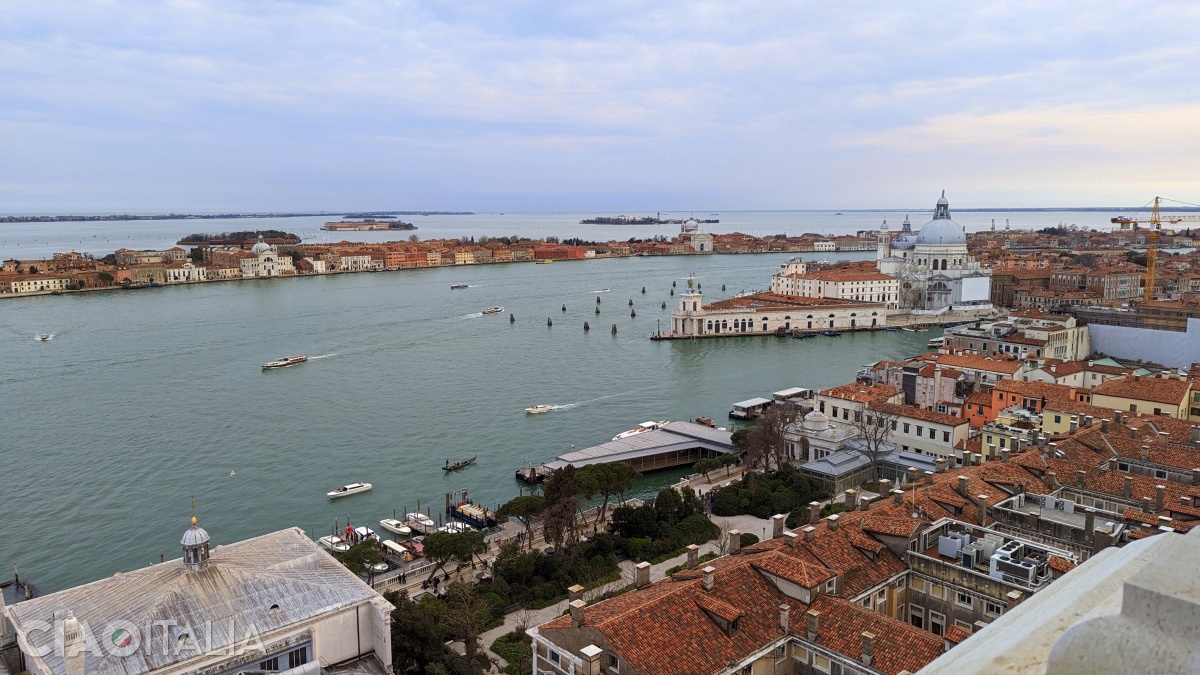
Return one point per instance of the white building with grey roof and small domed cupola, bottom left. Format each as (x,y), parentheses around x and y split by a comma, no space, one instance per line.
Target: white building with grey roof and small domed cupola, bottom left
(275,604)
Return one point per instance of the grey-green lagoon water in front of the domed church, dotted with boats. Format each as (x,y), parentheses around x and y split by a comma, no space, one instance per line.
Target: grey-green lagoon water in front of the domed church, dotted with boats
(147,399)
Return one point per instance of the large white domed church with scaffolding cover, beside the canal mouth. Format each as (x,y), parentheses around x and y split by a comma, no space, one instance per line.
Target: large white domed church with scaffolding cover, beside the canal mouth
(933,265)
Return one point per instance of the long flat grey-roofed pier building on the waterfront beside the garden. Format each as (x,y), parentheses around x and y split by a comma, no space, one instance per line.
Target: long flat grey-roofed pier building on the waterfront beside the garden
(676,444)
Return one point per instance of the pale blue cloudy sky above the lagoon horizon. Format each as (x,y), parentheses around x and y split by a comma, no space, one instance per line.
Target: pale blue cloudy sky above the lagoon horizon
(595,106)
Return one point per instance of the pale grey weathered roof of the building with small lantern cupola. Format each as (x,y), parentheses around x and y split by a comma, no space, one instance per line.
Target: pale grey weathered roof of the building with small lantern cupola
(220,606)
